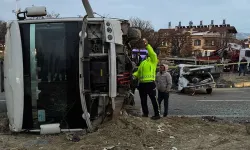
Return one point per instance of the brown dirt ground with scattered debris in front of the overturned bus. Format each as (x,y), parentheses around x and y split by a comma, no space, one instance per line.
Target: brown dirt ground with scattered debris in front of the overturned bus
(136,133)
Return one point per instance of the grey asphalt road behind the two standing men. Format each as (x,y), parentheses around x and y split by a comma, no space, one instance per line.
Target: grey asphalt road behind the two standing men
(229,103)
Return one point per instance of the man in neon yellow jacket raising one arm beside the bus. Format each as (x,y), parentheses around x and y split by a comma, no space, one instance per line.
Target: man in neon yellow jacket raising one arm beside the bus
(146,74)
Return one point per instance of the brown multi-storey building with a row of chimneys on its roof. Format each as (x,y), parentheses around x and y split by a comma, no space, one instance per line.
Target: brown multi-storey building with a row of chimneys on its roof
(205,38)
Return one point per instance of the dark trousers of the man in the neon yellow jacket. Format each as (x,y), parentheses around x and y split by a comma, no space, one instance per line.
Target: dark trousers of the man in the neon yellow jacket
(145,90)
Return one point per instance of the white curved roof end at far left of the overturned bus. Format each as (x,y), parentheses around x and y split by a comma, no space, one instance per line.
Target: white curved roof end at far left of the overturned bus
(13,78)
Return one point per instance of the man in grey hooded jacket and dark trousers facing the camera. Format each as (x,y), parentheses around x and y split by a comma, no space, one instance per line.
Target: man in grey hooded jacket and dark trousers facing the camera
(164,84)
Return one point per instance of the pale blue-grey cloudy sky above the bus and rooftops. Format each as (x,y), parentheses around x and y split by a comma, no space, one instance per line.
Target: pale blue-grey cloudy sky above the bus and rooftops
(159,12)
